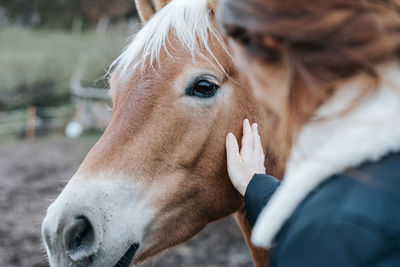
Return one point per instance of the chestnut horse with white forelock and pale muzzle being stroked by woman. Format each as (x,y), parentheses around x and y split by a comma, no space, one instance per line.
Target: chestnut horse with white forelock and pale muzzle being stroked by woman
(157,176)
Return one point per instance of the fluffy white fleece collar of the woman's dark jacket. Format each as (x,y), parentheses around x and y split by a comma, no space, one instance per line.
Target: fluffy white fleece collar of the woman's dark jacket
(367,133)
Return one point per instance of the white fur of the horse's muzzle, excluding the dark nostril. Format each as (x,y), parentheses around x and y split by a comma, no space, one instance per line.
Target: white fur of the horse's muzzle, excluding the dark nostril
(118,207)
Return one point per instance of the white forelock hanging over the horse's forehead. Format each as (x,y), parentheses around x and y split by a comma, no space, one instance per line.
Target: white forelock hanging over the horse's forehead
(189,21)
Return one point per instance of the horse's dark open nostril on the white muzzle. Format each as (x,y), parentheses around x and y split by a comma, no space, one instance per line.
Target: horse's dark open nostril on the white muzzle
(79,239)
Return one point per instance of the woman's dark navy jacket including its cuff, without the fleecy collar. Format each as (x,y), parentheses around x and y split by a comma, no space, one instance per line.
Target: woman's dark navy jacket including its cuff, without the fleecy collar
(352,219)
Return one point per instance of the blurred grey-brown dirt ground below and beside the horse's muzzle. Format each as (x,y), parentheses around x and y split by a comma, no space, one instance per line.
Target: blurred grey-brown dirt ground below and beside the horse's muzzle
(33,173)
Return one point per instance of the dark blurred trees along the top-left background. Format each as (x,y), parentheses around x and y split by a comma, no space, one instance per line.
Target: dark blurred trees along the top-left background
(63,13)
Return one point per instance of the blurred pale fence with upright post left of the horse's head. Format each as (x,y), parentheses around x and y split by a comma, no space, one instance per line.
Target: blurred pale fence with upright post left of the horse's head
(88,109)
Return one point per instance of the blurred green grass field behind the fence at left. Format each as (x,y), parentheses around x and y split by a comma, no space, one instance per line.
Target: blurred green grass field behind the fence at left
(36,65)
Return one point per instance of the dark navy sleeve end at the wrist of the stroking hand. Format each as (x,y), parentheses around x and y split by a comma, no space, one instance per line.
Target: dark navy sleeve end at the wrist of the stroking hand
(258,193)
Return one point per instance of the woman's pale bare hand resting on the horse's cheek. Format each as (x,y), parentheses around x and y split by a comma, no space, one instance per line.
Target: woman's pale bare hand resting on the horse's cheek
(242,166)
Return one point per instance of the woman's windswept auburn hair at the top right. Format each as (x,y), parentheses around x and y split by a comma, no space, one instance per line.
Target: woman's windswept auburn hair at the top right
(323,42)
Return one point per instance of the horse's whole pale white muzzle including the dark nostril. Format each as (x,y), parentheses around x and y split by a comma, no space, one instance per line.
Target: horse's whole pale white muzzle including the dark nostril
(96,223)
